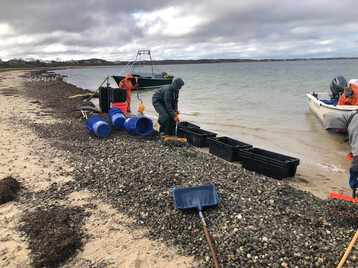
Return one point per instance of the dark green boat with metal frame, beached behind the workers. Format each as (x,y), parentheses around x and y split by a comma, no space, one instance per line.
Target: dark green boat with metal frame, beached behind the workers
(146,80)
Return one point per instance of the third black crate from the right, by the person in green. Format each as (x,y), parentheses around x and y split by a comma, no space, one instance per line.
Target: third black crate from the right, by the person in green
(196,136)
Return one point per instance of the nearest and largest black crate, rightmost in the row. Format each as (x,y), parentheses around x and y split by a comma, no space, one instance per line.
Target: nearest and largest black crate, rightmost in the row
(268,163)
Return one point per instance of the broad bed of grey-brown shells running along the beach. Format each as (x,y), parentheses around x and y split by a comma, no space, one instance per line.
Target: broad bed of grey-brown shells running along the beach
(260,222)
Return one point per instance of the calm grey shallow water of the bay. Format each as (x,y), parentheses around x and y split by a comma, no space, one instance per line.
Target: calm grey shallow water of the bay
(260,103)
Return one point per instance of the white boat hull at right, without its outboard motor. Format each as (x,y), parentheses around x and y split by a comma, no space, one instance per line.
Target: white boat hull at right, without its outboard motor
(323,102)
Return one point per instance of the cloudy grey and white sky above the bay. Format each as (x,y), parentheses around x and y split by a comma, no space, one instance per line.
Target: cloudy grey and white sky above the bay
(178,29)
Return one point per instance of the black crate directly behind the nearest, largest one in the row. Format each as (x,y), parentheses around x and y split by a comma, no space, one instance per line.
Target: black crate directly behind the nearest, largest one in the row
(227,148)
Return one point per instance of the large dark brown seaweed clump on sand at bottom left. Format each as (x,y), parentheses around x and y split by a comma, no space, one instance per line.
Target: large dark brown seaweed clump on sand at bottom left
(53,234)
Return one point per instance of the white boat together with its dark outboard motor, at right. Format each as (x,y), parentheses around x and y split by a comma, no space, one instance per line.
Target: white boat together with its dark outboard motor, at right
(324,102)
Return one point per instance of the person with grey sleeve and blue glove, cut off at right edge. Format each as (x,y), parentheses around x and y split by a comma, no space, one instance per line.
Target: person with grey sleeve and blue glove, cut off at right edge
(346,122)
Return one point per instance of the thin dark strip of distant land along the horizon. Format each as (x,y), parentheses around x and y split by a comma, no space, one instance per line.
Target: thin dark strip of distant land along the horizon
(26,64)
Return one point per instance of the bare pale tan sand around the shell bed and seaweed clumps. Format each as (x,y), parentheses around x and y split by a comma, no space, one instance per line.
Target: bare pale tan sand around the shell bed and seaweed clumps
(31,159)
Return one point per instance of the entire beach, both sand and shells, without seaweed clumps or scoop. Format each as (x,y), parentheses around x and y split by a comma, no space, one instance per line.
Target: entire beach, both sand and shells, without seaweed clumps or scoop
(124,184)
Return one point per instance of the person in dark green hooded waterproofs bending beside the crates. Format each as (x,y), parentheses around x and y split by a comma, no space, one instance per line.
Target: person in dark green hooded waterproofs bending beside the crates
(165,102)
